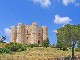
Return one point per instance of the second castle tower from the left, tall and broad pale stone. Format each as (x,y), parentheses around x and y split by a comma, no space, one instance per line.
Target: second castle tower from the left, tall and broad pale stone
(20,33)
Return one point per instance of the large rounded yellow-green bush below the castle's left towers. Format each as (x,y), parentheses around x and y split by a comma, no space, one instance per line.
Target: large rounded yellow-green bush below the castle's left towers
(16,47)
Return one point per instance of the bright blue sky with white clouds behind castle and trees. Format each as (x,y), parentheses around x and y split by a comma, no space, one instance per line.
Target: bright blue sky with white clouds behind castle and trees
(51,13)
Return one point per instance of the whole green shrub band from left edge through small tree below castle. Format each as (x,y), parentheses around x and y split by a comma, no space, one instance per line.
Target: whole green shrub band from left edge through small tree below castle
(16,47)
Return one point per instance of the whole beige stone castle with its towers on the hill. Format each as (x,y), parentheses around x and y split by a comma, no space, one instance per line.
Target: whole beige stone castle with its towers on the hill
(29,34)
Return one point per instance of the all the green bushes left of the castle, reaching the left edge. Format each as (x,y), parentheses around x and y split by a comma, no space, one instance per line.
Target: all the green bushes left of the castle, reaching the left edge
(13,47)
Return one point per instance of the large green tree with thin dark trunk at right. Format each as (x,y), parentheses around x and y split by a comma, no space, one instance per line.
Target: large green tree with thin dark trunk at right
(69,35)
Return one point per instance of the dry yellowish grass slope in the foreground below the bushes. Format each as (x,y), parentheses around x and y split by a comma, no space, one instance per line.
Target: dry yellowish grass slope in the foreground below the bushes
(37,53)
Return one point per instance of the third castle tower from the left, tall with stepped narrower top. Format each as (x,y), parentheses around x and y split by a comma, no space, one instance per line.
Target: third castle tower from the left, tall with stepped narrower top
(34,34)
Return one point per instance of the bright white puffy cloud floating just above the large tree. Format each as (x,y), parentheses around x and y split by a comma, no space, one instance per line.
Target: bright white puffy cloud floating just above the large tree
(61,20)
